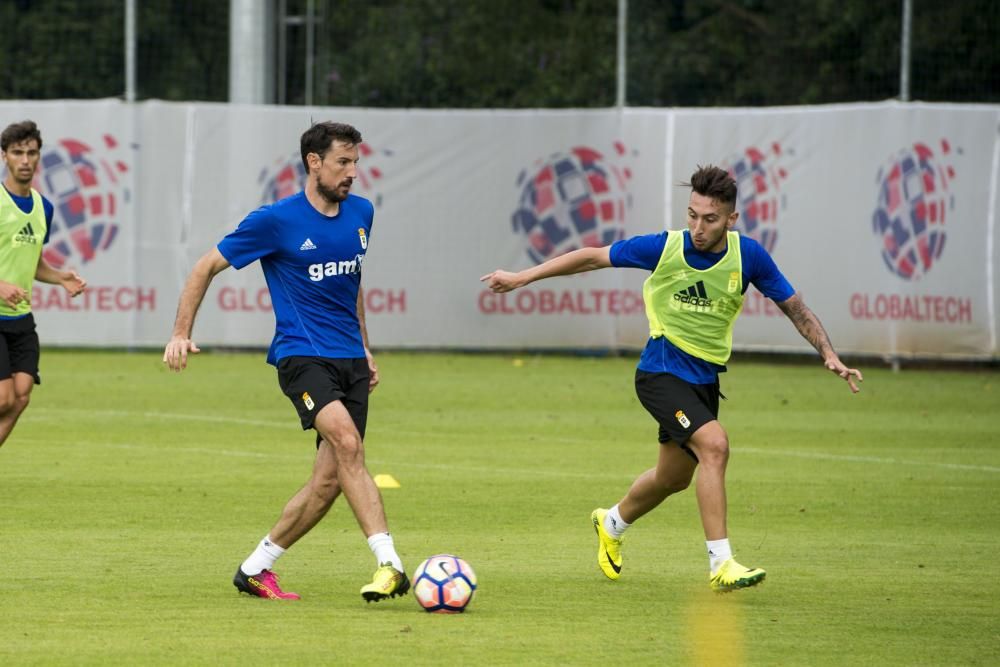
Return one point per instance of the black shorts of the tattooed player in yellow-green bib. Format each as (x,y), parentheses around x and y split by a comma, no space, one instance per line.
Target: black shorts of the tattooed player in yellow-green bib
(679,407)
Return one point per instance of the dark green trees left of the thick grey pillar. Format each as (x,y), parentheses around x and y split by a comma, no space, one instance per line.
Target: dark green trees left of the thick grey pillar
(70,49)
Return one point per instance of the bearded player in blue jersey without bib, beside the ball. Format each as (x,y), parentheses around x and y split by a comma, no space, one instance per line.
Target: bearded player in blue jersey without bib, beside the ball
(311,246)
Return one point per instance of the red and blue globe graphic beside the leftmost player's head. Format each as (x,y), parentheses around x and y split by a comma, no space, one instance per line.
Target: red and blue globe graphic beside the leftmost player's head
(87,188)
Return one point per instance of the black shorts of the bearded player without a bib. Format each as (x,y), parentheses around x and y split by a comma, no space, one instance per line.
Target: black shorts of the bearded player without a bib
(313,382)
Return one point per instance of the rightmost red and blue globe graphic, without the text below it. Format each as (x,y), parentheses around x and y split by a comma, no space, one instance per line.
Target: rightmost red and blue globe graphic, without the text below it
(913,202)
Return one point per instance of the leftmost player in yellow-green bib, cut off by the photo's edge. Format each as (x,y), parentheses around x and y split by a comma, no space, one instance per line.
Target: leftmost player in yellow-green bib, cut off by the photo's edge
(25,221)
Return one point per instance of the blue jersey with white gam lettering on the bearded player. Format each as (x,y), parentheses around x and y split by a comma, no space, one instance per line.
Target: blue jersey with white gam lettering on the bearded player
(312,265)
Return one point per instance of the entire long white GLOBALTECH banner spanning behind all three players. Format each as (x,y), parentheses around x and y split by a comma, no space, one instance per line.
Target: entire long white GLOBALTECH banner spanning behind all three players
(883,216)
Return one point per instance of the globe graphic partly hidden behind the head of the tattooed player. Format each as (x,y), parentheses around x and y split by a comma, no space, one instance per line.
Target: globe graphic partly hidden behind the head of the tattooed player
(759,198)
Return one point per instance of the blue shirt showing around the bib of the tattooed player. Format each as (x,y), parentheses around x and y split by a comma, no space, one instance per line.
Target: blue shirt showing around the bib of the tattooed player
(643,252)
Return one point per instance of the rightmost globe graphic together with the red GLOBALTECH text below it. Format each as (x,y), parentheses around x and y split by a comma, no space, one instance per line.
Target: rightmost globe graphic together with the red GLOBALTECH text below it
(914,203)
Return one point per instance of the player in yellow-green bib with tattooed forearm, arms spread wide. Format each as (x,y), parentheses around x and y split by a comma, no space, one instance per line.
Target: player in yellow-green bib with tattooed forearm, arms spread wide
(692,296)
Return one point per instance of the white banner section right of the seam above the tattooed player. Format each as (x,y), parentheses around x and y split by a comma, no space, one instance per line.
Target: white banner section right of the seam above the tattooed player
(879,215)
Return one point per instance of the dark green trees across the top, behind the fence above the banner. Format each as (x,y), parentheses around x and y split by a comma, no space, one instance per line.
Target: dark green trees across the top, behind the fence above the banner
(519,53)
